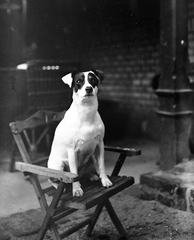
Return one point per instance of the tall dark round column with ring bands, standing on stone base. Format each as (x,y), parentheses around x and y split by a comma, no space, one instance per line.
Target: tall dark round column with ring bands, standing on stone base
(175,95)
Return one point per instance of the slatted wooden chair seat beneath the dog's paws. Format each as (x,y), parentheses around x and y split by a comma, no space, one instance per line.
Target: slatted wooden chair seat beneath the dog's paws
(94,192)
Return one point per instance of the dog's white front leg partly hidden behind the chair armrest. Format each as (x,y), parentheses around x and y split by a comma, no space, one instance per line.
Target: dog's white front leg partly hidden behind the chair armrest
(73,166)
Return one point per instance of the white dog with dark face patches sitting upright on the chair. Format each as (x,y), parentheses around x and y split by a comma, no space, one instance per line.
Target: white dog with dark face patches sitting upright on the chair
(78,144)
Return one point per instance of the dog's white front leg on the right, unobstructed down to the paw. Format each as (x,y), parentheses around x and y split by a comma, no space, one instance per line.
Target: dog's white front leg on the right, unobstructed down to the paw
(104,179)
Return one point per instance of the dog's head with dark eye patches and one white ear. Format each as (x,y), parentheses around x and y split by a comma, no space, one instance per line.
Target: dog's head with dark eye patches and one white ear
(84,84)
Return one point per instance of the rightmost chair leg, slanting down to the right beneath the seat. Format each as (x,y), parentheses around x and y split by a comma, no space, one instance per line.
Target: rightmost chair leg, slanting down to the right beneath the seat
(115,219)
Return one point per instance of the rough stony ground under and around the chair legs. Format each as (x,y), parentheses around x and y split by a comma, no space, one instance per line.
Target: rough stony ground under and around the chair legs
(143,220)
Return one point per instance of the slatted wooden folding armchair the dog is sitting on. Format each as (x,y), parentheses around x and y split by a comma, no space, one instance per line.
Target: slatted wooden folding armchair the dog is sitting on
(63,204)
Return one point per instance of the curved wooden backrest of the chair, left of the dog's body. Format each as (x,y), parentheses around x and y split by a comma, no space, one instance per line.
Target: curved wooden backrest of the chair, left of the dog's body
(43,118)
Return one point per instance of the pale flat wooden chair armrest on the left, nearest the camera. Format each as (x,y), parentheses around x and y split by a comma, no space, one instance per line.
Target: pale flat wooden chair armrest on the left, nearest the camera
(62,176)
